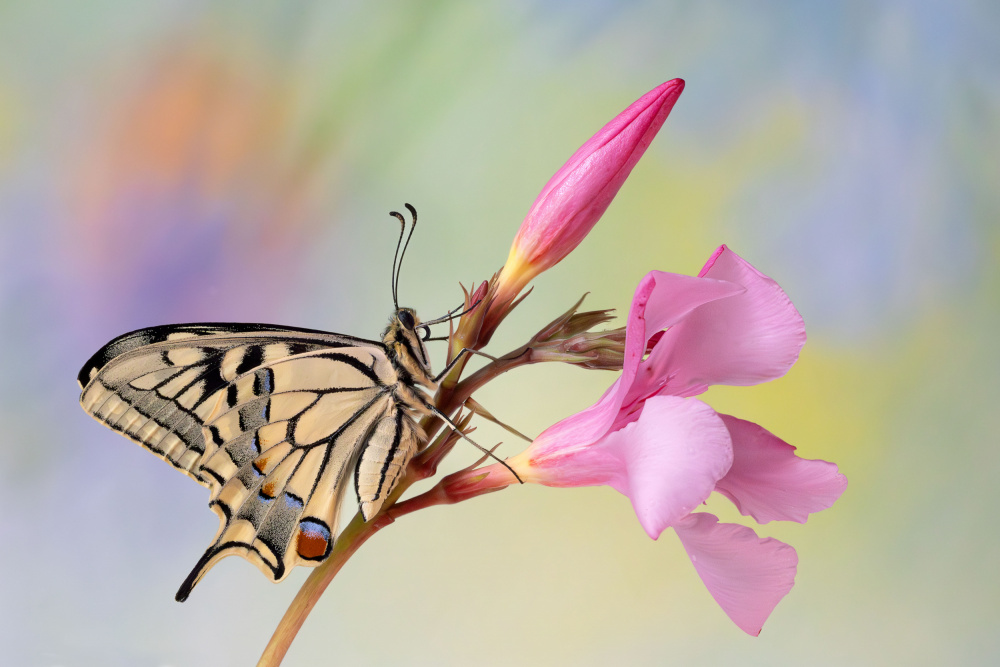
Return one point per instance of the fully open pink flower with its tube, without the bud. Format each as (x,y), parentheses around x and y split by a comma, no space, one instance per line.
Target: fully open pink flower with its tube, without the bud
(667,452)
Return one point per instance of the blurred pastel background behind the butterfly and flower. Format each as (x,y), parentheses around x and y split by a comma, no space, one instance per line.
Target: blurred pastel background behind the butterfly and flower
(183,161)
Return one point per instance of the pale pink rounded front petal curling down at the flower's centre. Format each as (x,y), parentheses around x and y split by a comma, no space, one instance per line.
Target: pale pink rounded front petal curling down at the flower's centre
(671,459)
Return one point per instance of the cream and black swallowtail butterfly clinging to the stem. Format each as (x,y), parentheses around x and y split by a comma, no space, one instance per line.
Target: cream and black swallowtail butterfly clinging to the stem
(274,420)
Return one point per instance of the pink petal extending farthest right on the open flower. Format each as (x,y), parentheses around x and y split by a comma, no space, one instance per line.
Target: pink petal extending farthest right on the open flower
(770,483)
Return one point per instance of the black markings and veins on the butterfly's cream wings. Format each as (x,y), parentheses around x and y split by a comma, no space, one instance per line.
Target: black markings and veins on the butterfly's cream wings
(271,514)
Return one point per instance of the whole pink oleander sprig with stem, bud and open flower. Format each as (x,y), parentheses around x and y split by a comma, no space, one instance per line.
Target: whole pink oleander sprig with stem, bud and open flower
(648,436)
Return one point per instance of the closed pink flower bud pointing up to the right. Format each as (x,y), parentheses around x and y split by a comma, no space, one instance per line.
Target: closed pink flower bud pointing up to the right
(577,195)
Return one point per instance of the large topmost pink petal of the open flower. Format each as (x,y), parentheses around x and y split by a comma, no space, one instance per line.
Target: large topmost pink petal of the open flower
(747,339)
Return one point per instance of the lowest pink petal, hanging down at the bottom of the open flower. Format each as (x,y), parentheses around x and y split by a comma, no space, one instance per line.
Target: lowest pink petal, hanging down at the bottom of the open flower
(745,574)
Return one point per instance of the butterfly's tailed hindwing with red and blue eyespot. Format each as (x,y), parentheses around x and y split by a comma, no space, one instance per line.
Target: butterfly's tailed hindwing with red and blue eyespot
(283,460)
